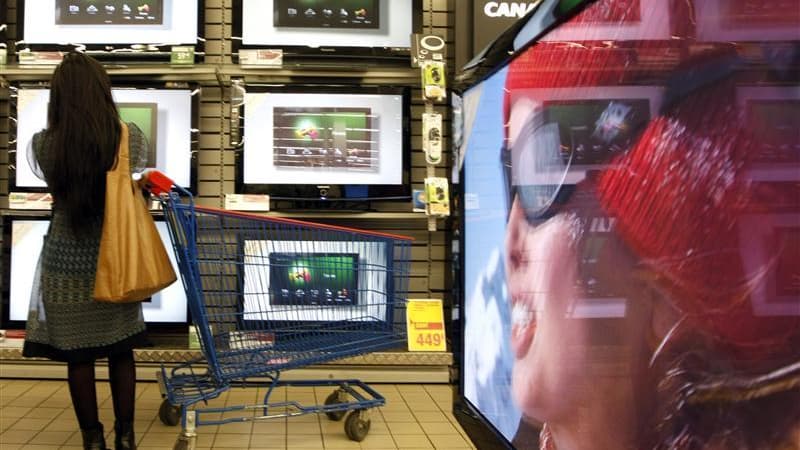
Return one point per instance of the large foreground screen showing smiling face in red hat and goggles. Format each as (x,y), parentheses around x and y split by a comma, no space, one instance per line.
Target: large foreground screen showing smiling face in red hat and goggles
(630,236)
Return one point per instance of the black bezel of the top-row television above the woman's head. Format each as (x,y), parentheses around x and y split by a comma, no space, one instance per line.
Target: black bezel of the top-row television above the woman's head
(112,53)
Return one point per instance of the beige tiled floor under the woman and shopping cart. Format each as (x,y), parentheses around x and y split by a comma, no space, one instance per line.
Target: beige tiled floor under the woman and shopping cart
(38,415)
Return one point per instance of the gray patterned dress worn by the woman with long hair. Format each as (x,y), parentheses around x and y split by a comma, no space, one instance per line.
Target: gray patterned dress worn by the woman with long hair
(64,322)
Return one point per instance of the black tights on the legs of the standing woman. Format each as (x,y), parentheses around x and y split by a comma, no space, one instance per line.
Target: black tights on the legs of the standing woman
(122,373)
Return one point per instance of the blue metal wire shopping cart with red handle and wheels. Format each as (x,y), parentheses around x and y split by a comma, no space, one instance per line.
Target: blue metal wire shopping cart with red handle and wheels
(270,294)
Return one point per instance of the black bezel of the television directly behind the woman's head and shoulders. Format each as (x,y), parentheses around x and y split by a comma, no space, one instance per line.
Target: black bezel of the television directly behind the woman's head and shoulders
(194,139)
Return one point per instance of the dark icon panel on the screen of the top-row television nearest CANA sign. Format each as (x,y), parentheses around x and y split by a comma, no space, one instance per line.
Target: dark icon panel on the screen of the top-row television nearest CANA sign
(359,14)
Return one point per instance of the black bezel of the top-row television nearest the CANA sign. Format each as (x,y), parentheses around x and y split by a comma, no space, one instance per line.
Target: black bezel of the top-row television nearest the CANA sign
(340,55)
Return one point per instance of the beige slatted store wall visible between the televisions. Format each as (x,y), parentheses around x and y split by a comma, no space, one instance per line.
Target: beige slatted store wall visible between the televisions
(216,168)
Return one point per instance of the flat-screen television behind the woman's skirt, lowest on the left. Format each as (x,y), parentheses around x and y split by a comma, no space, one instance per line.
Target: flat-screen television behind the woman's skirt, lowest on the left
(23,237)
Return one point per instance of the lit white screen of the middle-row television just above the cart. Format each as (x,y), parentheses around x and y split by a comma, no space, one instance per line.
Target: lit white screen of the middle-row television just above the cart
(323,138)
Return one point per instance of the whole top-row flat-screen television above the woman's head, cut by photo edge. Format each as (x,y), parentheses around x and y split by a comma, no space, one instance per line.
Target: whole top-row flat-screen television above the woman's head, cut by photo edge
(113,30)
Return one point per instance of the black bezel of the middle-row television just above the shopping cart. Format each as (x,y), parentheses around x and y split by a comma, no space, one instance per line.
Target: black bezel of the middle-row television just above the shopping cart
(311,191)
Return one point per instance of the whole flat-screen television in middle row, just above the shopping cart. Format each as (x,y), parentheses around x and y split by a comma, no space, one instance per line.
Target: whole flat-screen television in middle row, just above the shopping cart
(324,143)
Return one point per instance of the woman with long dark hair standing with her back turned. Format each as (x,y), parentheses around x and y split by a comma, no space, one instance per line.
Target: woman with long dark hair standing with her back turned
(65,323)
